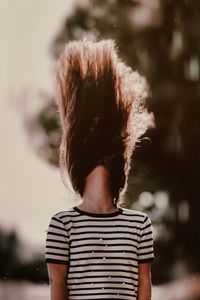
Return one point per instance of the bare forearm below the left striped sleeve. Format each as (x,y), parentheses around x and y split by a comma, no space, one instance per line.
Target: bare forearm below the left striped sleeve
(58,280)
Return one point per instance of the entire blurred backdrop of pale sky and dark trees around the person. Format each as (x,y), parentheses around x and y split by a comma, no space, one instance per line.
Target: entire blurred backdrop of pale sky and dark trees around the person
(160,39)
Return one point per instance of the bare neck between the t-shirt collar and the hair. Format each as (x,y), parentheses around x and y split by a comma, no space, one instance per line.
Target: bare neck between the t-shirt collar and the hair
(97,196)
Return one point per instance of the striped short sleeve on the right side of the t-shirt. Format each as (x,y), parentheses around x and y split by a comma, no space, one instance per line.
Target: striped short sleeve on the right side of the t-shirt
(146,248)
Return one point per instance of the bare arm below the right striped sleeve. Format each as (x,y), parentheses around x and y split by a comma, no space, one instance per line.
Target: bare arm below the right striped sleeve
(144,281)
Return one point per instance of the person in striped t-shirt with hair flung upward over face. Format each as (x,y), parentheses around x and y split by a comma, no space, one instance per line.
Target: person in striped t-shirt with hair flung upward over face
(99,249)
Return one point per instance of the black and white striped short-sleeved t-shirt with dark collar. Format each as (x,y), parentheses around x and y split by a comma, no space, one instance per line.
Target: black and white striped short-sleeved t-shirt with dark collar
(102,251)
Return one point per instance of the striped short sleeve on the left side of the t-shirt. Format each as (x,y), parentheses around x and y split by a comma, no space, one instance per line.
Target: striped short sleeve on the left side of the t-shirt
(57,245)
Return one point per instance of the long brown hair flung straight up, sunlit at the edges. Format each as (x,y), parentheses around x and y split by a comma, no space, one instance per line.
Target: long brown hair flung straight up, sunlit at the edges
(102,112)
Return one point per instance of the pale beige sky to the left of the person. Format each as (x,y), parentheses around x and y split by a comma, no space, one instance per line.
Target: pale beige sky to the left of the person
(30,189)
